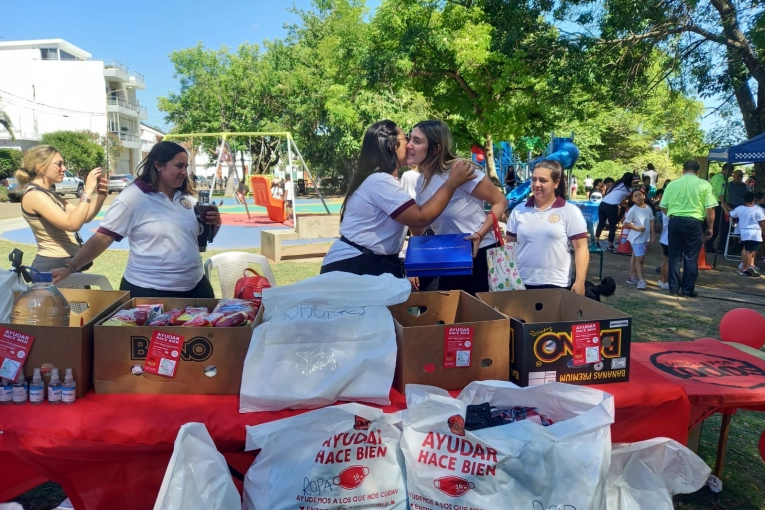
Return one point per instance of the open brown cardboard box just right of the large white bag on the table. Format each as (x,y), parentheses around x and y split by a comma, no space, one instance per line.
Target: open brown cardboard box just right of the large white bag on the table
(433,327)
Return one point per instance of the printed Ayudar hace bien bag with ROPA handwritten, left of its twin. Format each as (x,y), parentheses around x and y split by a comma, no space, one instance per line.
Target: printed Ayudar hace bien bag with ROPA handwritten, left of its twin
(341,457)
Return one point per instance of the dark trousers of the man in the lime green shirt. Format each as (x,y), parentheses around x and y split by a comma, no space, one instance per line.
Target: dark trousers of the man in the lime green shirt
(685,239)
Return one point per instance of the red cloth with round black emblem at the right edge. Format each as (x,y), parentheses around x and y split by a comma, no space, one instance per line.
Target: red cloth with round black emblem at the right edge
(716,376)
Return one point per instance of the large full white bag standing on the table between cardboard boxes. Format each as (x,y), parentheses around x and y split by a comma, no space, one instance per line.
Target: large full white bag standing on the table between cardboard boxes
(324,339)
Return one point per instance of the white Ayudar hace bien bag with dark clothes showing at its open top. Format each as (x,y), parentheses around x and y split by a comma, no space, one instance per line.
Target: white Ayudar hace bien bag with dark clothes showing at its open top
(520,465)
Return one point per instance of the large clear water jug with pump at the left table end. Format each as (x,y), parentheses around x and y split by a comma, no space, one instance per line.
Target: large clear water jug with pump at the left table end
(42,304)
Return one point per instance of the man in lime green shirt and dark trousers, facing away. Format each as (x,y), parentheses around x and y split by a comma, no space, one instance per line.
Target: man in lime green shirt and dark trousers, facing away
(687,201)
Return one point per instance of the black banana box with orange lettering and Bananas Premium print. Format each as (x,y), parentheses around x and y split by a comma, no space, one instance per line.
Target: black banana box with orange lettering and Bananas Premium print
(557,335)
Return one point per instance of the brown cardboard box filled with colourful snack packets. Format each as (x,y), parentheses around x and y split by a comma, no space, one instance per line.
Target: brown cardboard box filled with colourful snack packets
(119,348)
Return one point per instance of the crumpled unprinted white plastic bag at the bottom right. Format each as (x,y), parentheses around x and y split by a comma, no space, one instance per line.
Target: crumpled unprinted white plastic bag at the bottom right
(645,475)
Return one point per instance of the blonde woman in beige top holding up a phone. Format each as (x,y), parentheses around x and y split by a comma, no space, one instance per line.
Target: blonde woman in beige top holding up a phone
(54,221)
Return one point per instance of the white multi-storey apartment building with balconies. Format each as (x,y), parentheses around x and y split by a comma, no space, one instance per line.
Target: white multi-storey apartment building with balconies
(51,85)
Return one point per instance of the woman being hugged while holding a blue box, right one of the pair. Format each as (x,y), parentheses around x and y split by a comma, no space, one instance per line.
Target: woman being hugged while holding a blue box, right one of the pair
(430,149)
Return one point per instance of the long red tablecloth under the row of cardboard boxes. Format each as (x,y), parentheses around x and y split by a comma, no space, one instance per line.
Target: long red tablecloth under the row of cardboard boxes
(111,451)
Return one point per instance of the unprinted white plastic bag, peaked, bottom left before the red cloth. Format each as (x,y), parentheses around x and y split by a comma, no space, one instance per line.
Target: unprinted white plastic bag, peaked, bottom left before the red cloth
(197,477)
